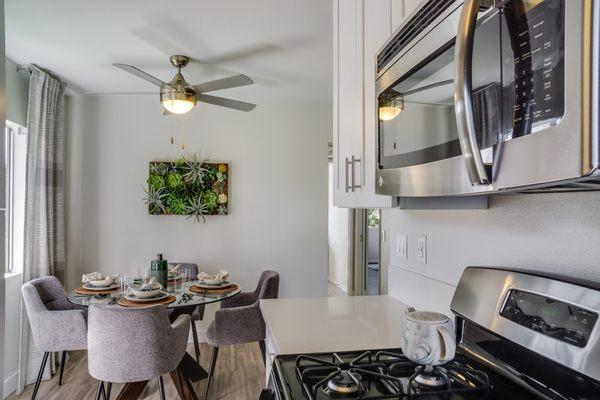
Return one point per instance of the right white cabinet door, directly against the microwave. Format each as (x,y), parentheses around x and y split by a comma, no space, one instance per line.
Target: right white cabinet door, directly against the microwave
(376,29)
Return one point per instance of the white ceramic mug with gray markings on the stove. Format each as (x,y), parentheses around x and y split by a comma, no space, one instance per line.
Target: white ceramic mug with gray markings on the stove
(429,337)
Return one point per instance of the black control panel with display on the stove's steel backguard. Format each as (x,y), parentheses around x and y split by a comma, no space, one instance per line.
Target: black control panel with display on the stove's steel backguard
(550,317)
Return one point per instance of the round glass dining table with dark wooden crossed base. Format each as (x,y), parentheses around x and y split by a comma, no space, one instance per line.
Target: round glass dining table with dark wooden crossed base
(185,302)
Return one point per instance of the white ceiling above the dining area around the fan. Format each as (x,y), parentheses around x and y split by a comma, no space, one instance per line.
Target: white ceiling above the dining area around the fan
(284,45)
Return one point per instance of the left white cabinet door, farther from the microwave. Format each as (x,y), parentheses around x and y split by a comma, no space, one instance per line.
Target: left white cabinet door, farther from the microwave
(347,101)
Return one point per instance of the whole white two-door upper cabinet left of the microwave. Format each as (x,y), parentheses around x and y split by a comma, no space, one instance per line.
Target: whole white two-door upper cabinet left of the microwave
(360,28)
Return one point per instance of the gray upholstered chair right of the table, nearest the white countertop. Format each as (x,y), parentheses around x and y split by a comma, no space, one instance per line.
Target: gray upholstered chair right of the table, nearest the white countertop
(240,321)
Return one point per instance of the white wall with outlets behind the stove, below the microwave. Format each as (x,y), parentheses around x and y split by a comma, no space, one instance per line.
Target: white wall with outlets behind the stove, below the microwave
(557,233)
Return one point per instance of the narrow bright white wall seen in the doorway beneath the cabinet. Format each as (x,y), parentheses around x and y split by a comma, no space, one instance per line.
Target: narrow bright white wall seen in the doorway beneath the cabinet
(338,240)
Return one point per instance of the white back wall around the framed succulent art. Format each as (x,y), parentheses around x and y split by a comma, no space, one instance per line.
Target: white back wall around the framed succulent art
(278,190)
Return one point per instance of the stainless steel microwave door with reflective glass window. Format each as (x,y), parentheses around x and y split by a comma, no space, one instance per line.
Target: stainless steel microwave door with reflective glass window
(419,145)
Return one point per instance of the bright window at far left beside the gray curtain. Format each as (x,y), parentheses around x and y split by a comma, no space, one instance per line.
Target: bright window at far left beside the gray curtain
(16,166)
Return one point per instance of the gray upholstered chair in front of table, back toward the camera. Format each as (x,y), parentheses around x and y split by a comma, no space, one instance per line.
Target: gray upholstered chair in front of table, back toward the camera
(134,344)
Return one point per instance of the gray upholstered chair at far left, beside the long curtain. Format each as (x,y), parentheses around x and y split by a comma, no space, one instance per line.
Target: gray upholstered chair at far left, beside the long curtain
(56,324)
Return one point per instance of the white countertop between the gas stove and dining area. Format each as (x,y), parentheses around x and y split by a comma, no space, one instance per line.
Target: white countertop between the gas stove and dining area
(327,324)
